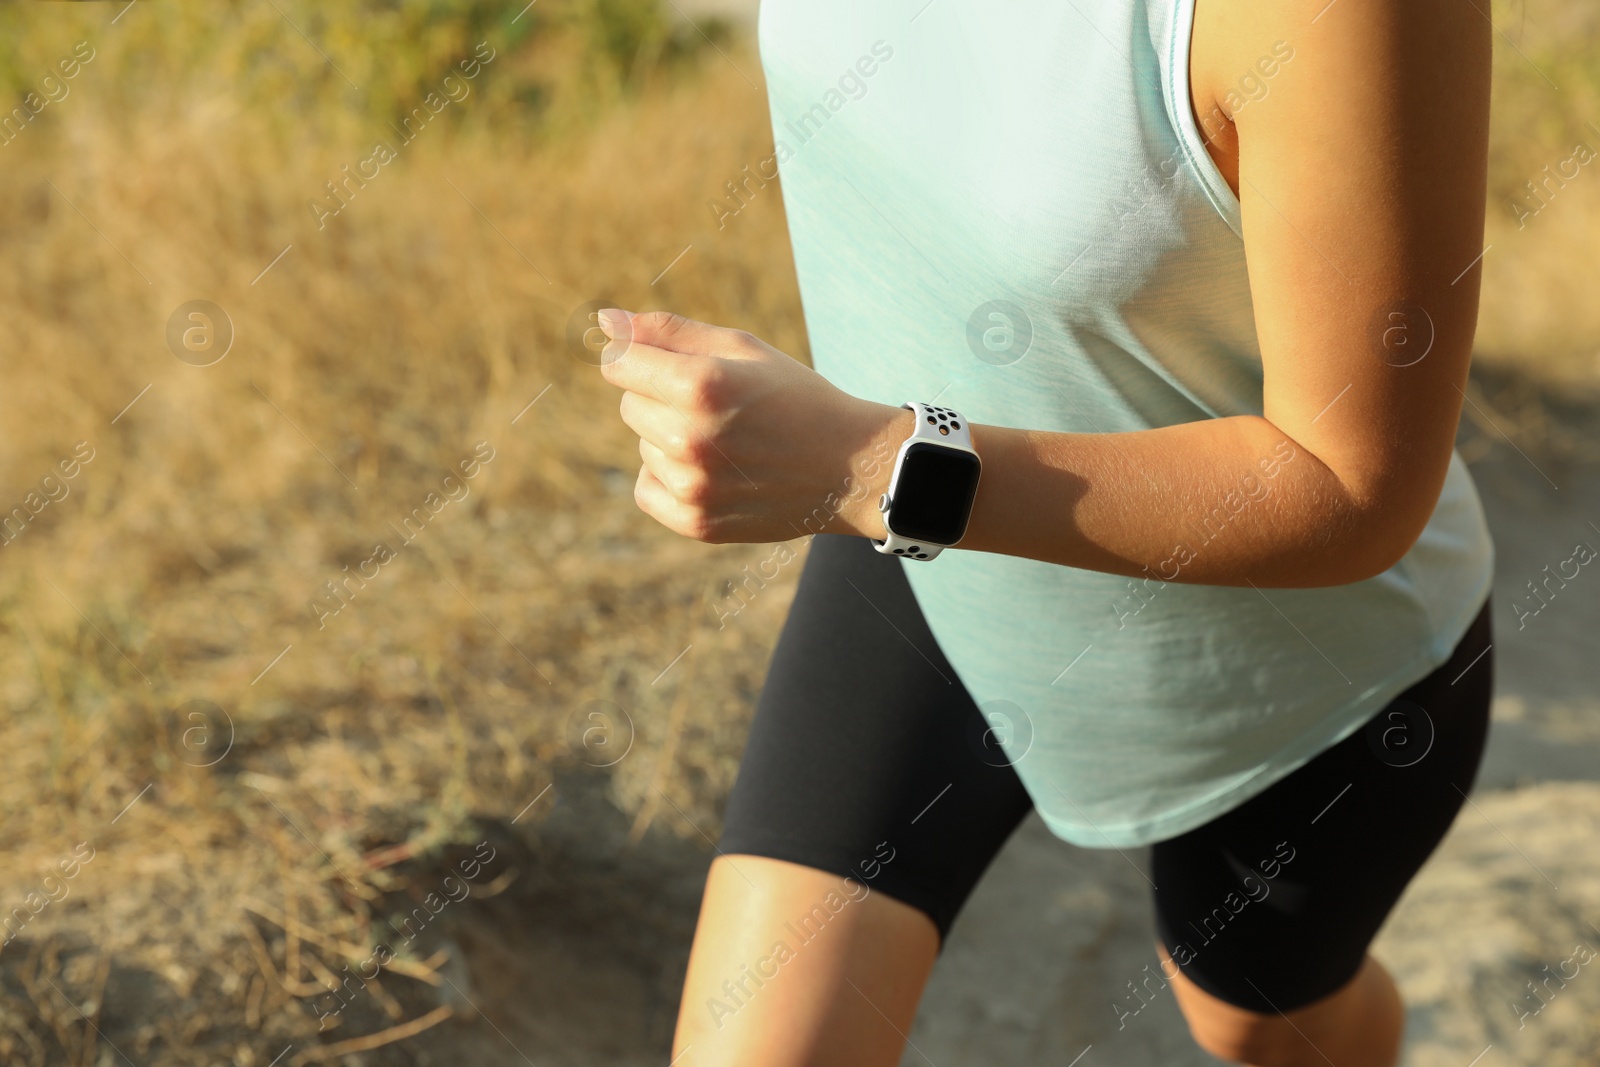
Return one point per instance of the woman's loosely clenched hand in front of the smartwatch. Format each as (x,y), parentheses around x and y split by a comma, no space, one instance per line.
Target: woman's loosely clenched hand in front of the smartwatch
(740,442)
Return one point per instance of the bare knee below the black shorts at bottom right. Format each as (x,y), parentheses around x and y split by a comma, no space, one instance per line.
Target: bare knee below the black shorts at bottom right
(1359,1026)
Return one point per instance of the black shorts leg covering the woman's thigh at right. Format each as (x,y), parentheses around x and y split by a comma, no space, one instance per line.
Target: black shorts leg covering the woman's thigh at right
(1273,906)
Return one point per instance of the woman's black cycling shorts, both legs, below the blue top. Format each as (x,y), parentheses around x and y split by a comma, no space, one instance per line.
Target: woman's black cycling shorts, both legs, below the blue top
(1271,906)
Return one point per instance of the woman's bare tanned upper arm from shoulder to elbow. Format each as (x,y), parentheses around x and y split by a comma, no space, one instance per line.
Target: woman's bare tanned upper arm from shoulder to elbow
(1362,188)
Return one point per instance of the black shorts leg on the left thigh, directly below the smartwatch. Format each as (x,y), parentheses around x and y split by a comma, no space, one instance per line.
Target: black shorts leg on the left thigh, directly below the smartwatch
(866,756)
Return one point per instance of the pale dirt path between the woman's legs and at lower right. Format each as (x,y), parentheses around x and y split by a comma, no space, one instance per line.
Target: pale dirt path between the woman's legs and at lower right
(1055,933)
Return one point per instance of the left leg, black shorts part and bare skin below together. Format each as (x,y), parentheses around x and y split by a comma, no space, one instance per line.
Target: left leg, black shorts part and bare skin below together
(870,802)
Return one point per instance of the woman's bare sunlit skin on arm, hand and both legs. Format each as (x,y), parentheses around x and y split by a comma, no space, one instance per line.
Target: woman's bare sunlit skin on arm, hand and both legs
(1362,180)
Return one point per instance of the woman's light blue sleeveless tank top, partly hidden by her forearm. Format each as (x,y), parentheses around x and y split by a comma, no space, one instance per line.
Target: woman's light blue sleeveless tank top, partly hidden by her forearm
(1007,209)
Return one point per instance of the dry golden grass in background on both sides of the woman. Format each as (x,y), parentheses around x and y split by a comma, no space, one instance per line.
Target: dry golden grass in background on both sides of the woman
(270,841)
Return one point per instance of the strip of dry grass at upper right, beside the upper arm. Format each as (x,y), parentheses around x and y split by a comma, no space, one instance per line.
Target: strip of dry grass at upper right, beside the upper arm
(1538,346)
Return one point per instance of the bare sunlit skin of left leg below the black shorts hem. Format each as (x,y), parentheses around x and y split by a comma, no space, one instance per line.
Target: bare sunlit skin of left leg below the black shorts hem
(794,967)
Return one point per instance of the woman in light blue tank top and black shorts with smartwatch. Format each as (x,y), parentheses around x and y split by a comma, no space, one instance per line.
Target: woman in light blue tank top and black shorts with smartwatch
(1206,281)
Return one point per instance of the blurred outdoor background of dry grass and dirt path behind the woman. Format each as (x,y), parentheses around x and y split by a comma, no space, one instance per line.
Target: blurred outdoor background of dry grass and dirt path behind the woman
(335,647)
